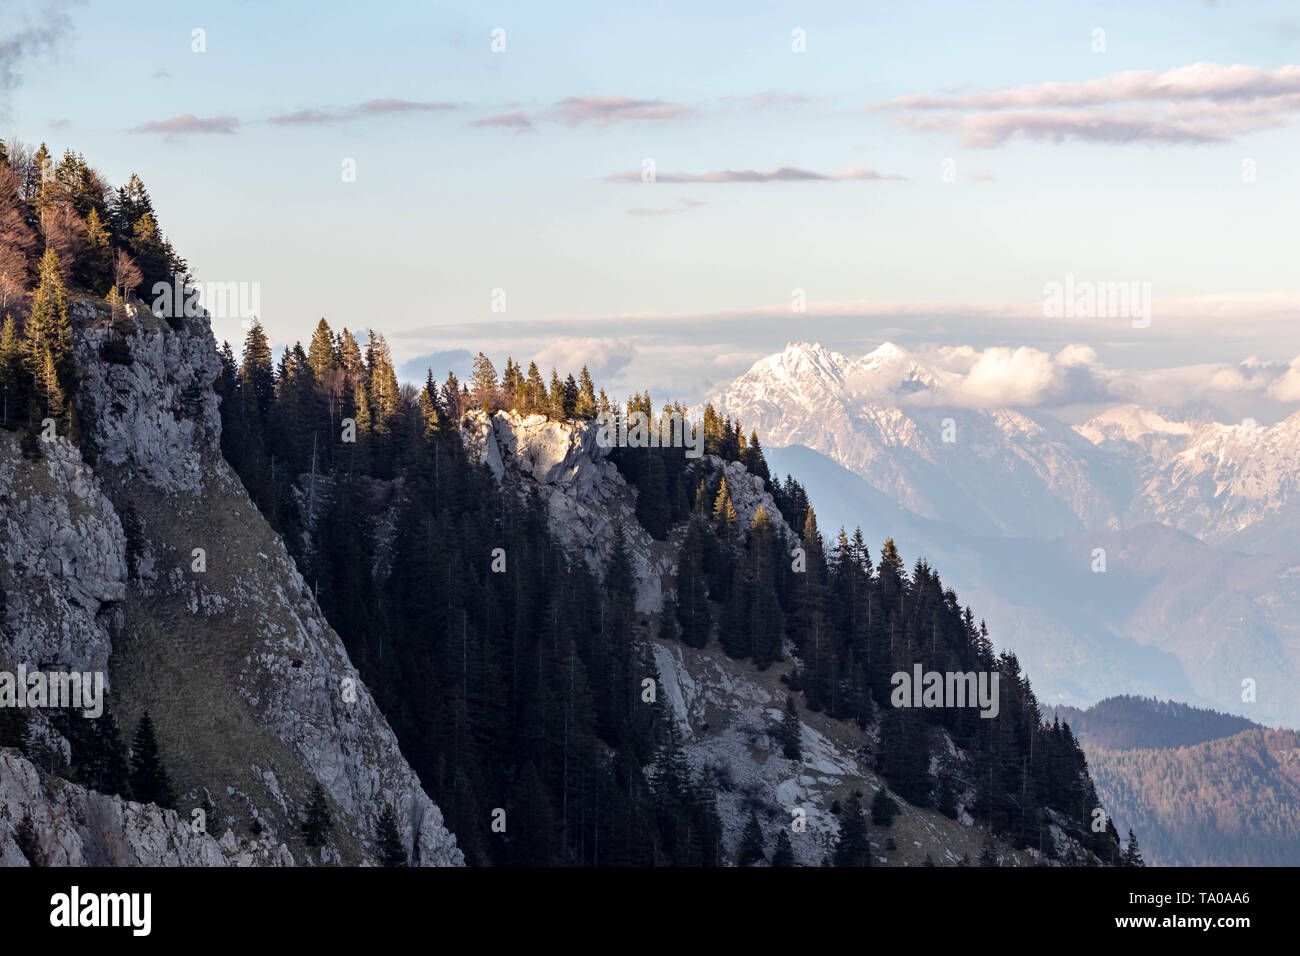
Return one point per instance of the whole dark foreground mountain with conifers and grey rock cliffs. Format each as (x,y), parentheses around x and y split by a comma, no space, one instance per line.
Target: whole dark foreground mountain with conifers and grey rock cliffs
(313,599)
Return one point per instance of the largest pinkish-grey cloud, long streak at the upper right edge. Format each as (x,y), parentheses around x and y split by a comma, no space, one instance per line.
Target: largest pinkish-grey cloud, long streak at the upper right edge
(1202,103)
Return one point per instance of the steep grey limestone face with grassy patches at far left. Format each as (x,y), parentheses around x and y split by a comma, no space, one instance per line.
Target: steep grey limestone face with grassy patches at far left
(138,553)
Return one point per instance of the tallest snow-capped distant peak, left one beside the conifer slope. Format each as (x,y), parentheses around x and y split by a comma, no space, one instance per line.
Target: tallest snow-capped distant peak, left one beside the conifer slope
(1002,473)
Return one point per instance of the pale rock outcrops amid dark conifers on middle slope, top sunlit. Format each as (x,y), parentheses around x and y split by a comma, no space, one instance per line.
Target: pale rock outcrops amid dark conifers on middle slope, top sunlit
(729,712)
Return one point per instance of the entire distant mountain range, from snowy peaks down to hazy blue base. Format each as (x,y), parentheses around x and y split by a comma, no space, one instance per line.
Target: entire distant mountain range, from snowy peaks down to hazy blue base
(1195,524)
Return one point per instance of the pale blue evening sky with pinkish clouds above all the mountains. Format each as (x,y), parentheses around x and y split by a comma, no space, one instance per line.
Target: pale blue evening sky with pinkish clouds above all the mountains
(469,178)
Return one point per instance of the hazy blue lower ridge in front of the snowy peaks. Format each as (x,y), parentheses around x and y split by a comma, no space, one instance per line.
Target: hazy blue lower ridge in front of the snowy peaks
(1171,617)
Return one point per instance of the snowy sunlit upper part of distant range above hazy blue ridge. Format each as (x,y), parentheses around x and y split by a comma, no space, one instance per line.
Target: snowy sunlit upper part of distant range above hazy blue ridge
(1021,473)
